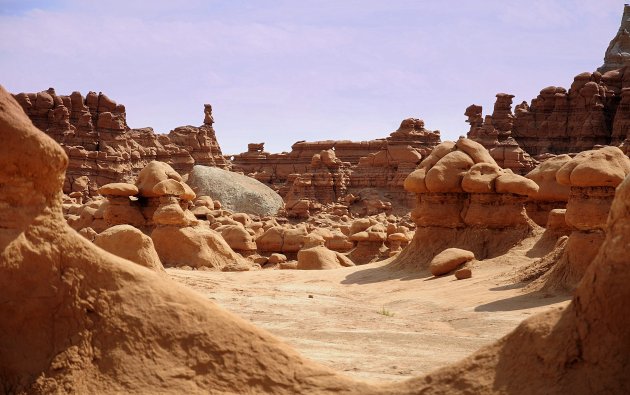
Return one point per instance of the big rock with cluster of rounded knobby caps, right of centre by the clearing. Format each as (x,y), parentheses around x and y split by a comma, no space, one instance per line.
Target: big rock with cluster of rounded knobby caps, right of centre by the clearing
(465,200)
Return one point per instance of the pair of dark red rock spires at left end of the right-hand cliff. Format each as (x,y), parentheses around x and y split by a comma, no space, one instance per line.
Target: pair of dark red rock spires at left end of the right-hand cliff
(494,133)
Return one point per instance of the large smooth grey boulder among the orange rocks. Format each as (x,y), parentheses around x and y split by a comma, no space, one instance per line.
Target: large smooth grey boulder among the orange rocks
(236,192)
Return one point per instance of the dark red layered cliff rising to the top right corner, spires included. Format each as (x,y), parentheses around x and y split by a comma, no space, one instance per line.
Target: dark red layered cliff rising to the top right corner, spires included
(594,111)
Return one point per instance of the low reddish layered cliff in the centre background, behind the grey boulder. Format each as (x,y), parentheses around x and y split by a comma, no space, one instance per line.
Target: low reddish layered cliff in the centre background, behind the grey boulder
(306,181)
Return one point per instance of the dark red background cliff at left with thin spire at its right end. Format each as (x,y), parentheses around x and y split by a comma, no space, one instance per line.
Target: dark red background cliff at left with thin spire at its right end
(103,149)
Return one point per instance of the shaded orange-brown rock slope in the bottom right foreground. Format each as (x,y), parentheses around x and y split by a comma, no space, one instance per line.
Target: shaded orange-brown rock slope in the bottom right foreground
(580,349)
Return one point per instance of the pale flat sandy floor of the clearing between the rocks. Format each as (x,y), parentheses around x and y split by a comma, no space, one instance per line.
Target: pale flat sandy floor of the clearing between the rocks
(374,323)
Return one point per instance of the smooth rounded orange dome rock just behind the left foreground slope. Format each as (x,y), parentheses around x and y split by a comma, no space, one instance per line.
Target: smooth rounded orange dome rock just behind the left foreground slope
(130,243)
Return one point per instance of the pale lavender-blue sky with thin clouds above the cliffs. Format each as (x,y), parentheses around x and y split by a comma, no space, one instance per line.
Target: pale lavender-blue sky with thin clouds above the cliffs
(288,70)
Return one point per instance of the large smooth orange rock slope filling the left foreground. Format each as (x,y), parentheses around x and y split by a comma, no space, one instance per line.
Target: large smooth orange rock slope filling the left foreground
(75,320)
